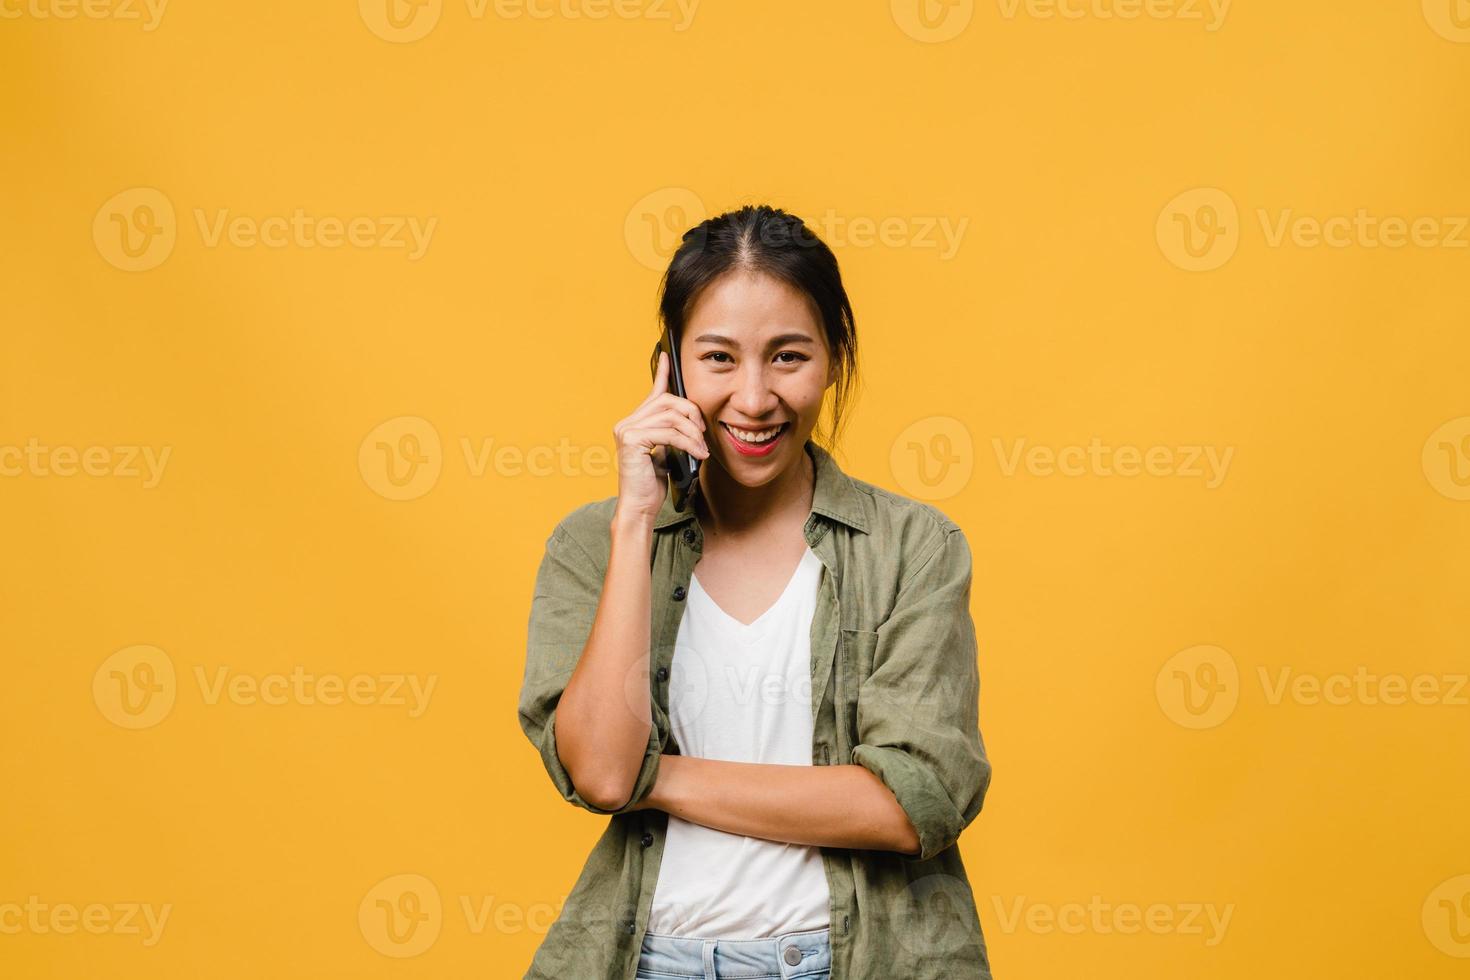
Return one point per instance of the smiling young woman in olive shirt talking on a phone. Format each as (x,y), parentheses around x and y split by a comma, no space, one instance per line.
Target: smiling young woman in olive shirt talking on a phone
(772,693)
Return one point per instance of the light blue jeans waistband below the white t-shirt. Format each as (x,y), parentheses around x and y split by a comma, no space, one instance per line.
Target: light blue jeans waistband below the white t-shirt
(695,959)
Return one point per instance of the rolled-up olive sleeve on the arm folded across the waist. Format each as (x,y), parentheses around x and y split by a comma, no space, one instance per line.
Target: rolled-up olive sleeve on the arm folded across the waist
(918,712)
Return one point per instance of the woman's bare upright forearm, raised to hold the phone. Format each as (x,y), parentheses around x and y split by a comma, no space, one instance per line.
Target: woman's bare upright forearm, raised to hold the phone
(603,718)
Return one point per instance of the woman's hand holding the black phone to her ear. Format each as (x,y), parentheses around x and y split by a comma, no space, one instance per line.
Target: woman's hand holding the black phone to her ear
(662,421)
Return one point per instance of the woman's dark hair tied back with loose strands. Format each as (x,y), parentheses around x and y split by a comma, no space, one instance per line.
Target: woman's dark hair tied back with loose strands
(768,240)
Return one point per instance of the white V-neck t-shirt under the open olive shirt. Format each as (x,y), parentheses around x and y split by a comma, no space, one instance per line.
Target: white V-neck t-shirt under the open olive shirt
(743,694)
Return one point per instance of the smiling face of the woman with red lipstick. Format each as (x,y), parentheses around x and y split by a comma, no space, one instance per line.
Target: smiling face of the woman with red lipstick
(755,359)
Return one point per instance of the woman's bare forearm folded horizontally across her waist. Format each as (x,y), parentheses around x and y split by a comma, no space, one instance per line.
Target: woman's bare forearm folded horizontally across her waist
(824,806)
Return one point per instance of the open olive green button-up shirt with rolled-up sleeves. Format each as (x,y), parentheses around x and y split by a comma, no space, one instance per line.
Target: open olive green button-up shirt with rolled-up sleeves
(894,688)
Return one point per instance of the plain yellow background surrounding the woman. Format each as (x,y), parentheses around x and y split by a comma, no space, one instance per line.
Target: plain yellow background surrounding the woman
(548,151)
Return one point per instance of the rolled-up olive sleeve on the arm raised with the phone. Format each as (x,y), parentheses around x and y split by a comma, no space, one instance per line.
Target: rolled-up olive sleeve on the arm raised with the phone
(564,605)
